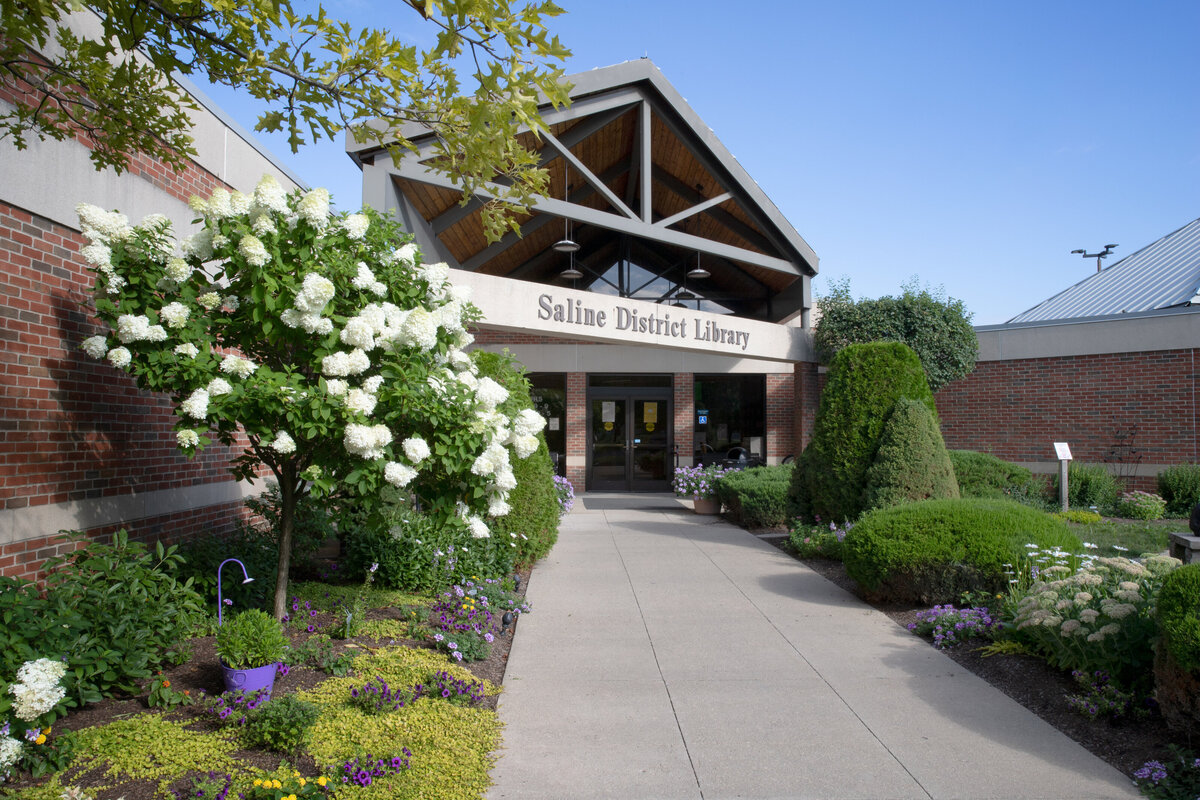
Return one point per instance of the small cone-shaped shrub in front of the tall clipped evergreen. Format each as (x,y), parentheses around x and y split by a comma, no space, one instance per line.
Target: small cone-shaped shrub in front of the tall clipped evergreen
(911,464)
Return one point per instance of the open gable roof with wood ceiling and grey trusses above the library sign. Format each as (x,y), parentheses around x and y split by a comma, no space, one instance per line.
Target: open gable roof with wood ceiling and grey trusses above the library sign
(651,185)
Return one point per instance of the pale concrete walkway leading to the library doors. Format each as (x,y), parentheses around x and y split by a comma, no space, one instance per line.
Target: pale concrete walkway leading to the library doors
(671,655)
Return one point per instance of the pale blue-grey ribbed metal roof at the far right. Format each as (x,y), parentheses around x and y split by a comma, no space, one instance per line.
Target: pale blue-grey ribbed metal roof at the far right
(1163,275)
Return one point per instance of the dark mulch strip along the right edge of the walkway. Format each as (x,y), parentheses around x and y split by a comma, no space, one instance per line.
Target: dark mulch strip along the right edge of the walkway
(1031,682)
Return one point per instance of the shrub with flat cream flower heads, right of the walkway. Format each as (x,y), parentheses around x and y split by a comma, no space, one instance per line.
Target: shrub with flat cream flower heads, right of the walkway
(1097,619)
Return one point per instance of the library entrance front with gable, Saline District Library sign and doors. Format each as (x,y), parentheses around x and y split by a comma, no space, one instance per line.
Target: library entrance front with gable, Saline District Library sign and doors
(658,299)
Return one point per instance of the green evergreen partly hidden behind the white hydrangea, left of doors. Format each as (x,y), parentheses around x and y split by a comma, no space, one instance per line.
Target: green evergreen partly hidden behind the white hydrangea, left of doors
(532,524)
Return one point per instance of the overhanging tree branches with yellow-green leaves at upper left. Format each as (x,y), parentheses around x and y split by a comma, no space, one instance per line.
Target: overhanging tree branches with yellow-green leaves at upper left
(313,74)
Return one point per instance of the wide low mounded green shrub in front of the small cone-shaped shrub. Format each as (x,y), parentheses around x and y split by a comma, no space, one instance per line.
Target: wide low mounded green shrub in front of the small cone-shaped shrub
(933,552)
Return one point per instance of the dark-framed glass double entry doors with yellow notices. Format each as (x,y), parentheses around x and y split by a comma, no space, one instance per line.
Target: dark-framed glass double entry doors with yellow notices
(631,448)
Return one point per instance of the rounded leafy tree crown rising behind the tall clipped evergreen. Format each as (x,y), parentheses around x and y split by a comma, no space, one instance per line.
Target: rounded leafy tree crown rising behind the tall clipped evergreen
(935,327)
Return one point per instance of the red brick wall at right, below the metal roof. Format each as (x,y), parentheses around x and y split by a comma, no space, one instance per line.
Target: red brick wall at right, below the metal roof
(1103,406)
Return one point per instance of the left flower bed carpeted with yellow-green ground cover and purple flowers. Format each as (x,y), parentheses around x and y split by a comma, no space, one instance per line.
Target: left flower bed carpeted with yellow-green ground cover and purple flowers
(309,739)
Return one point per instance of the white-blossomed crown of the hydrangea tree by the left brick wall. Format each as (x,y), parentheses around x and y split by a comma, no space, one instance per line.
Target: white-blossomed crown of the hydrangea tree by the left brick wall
(322,339)
